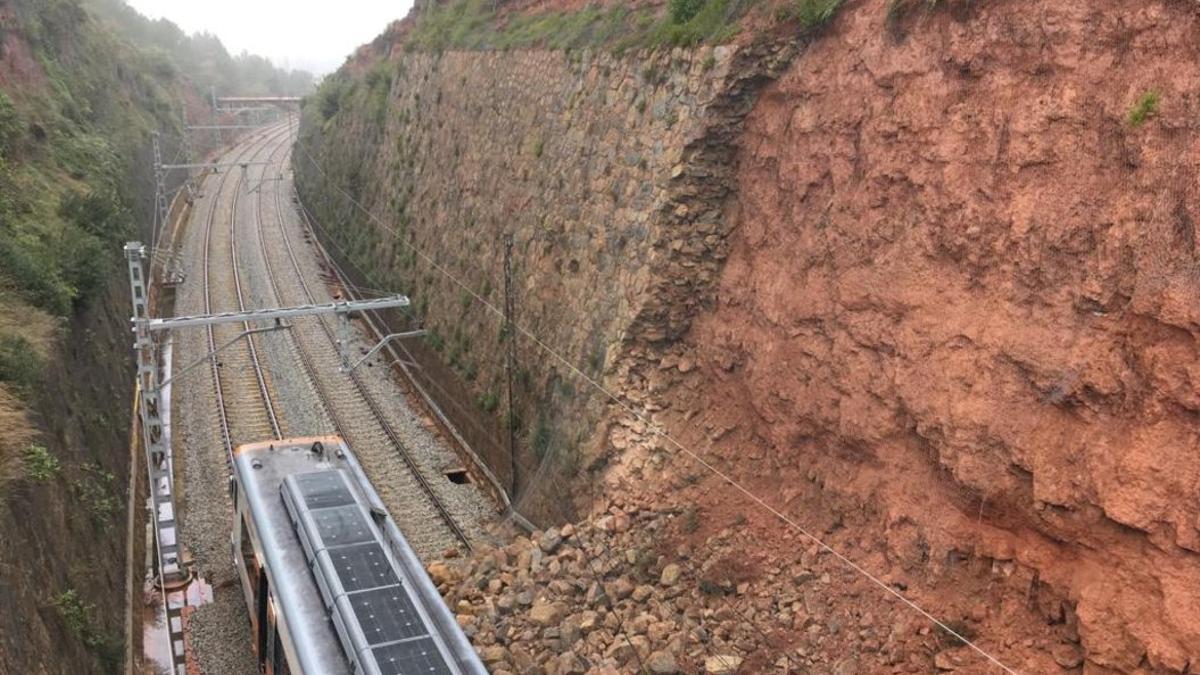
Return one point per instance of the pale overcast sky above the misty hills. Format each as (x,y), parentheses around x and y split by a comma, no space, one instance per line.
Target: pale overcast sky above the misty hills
(315,35)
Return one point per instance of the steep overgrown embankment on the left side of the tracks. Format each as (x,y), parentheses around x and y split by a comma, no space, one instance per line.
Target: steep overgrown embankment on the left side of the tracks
(77,107)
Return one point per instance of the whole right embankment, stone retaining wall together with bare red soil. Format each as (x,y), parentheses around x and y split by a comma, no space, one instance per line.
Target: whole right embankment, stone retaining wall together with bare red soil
(932,294)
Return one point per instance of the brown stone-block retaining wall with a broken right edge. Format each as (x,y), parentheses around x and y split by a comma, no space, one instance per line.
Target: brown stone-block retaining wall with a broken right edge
(601,169)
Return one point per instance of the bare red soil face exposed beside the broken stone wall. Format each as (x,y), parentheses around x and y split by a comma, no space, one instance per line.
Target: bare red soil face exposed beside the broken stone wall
(962,307)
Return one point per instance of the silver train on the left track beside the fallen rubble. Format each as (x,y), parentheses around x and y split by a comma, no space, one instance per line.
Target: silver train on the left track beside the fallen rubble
(331,583)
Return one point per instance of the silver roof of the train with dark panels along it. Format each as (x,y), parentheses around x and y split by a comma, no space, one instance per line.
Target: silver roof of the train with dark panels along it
(363,576)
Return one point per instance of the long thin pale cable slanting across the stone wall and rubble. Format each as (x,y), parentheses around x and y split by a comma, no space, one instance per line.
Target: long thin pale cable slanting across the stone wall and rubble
(655,429)
